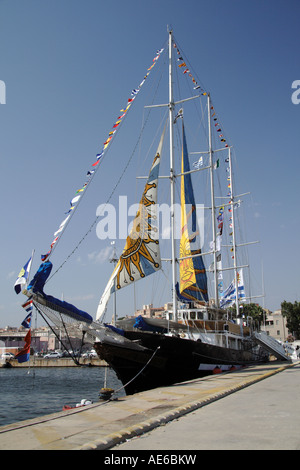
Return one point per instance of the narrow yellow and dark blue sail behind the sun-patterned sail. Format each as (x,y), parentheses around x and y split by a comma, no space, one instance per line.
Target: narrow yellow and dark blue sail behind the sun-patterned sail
(193,281)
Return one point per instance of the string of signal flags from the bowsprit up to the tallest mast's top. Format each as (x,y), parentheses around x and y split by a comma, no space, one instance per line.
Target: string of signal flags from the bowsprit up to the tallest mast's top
(90,173)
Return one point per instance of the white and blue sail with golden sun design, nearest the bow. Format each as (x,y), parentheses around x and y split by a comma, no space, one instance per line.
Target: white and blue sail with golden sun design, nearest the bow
(141,255)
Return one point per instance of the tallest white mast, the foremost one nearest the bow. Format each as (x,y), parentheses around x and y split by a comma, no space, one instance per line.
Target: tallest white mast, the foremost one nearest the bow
(172,178)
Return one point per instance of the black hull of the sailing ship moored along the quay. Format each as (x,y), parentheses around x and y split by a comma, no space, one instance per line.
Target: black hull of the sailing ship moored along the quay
(165,360)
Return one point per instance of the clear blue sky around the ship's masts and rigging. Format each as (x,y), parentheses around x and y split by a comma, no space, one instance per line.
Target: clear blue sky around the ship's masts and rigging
(69,66)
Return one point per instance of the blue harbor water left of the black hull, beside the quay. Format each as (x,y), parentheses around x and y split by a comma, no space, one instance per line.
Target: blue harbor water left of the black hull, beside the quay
(29,393)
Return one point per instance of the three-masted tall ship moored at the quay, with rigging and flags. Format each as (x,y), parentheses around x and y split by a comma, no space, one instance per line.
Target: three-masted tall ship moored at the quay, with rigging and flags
(203,329)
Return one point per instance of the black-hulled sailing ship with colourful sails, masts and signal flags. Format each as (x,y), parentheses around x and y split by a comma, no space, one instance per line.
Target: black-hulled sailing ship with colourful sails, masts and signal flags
(198,334)
